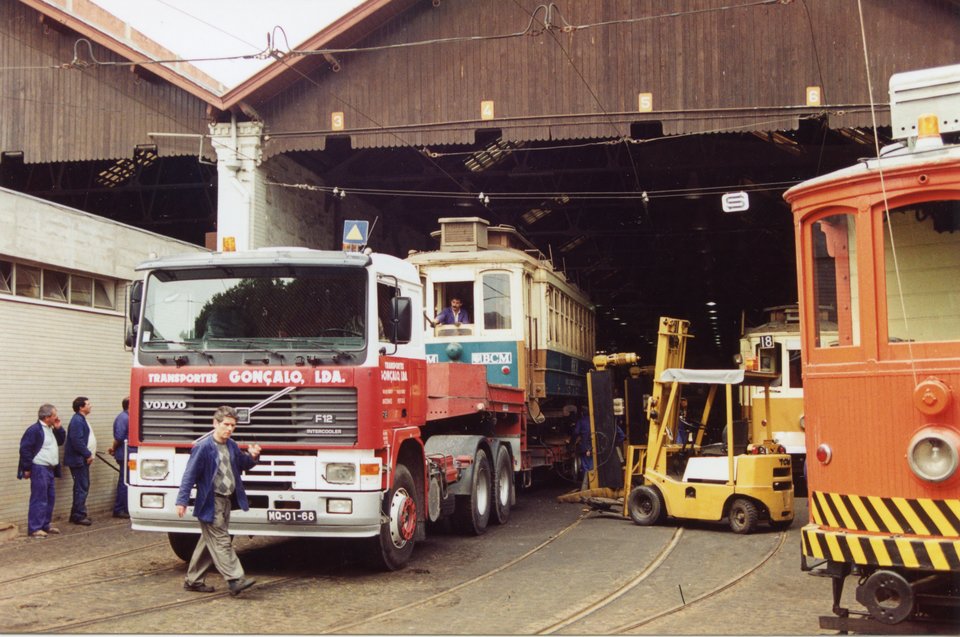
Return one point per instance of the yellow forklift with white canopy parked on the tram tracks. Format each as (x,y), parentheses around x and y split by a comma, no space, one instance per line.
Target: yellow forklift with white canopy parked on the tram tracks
(682,478)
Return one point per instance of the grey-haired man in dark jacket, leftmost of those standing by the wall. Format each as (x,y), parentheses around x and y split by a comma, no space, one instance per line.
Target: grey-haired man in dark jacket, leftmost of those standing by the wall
(40,463)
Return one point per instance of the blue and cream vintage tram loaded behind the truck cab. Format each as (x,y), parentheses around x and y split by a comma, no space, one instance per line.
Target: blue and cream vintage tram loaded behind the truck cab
(531,327)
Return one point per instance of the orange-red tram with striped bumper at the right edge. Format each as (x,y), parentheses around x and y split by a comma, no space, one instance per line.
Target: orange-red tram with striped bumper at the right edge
(879,244)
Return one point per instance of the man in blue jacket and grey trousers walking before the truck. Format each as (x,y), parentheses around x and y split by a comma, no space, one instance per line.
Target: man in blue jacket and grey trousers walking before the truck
(214,467)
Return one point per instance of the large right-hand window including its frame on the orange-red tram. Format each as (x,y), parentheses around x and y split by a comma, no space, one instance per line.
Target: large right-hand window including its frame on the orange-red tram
(918,276)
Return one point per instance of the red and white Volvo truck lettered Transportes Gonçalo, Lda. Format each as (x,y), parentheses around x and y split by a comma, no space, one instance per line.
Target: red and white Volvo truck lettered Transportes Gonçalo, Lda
(322,354)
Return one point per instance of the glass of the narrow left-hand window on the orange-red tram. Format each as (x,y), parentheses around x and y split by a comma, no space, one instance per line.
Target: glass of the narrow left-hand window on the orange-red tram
(835,281)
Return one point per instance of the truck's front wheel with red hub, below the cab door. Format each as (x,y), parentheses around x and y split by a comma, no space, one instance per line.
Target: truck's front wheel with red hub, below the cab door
(392,549)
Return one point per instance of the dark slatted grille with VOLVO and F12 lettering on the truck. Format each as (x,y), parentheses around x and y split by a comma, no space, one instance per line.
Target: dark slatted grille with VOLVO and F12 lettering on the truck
(306,415)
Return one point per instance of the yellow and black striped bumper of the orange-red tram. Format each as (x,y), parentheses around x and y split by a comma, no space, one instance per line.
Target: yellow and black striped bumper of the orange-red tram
(917,534)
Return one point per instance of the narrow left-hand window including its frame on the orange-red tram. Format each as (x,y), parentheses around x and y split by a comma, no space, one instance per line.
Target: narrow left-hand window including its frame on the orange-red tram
(823,276)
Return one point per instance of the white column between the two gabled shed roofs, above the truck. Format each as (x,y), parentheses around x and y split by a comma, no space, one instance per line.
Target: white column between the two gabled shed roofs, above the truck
(239,151)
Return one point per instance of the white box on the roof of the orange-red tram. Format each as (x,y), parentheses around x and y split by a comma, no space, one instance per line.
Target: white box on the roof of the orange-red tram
(917,93)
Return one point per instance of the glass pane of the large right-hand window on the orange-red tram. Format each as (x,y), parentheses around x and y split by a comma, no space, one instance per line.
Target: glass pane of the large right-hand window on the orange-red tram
(921,263)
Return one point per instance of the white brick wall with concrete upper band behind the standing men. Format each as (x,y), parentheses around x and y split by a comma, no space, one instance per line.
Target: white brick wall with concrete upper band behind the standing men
(52,352)
